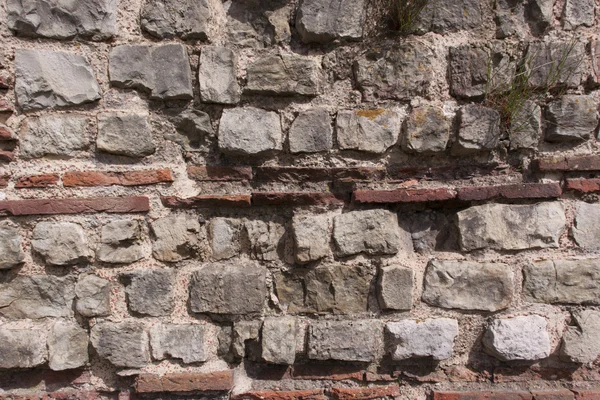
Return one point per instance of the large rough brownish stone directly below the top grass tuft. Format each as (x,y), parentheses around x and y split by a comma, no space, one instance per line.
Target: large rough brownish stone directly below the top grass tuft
(401,73)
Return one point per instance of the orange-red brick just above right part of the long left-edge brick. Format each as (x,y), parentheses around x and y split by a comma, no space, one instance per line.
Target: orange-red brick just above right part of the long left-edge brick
(126,178)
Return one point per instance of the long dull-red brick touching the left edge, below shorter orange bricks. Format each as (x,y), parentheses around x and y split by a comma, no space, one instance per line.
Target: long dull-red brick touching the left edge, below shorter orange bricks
(74,206)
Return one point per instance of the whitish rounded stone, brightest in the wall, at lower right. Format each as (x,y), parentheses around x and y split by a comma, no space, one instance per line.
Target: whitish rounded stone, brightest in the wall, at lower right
(518,338)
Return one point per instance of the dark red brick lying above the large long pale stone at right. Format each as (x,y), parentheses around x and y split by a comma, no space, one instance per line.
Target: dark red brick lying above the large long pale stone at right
(515,191)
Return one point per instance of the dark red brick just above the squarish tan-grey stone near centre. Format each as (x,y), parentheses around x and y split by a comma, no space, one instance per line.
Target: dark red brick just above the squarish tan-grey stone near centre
(402,195)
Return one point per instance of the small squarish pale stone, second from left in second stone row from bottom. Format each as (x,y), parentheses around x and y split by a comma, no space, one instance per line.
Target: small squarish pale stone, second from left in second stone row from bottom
(93,296)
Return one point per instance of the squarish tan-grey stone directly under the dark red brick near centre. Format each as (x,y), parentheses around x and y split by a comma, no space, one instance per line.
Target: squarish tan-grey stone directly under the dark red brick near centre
(374,232)
